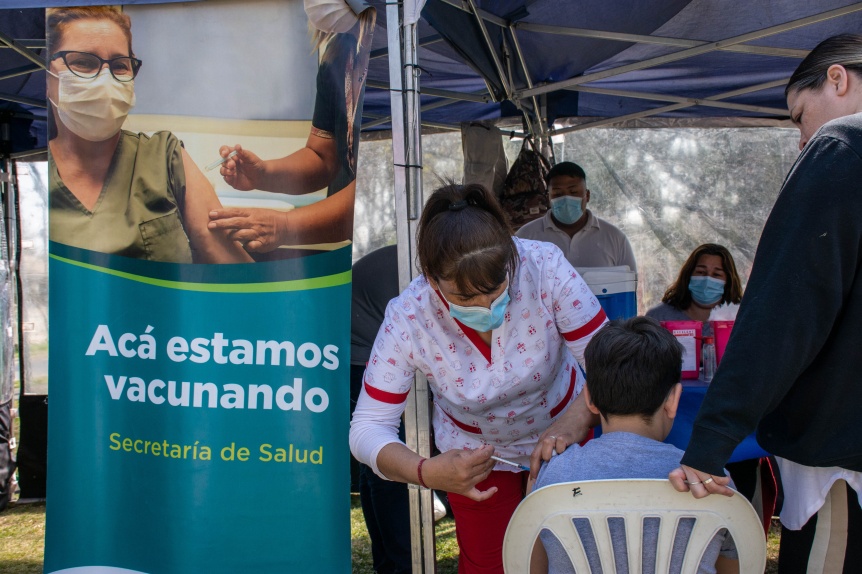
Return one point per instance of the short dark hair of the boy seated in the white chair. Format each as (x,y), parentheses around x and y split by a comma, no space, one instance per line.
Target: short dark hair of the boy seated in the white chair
(632,365)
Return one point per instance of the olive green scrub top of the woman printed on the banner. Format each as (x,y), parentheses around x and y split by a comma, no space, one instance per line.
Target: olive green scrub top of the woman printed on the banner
(137,214)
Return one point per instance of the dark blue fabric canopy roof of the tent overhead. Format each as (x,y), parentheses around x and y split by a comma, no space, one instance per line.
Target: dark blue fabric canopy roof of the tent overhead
(491,59)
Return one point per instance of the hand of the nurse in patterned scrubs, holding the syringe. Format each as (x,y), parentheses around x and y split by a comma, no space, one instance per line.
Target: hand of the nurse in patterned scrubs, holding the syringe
(460,471)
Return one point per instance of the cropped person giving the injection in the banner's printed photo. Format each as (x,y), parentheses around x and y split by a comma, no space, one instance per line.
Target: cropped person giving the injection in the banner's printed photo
(329,156)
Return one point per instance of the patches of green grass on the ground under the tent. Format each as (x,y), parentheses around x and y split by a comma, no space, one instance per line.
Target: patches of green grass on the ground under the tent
(22,535)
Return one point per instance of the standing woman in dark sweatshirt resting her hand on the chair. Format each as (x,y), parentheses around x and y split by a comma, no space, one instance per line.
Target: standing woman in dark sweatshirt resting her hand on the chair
(790,368)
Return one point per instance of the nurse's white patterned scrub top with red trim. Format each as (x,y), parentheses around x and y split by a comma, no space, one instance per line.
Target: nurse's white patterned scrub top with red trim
(504,395)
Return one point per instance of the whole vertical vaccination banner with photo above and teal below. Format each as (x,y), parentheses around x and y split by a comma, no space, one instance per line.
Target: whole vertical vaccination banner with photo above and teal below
(201,202)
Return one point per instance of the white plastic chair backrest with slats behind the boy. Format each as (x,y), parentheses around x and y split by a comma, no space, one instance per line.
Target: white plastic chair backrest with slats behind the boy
(592,509)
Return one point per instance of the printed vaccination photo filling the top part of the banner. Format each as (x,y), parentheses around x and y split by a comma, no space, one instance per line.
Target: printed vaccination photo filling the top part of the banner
(121,184)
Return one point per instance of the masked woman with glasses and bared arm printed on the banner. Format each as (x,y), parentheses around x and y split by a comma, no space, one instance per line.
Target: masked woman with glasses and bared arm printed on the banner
(111,190)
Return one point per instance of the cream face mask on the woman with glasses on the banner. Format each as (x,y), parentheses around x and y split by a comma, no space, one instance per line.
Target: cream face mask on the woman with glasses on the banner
(93,108)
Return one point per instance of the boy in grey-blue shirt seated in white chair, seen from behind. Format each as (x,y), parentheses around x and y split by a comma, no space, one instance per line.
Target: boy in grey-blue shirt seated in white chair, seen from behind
(633,384)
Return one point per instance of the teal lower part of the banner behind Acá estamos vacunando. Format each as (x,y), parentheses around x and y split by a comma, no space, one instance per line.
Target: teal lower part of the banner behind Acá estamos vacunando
(112,506)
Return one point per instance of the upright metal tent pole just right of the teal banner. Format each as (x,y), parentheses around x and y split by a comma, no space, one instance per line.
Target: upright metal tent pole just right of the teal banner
(407,160)
